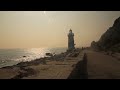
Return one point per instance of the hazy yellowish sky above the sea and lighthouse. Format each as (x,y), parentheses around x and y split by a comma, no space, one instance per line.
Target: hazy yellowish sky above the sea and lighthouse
(36,29)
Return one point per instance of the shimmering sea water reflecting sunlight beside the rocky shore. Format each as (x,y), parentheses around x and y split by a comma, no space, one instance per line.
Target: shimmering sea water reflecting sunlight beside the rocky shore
(10,57)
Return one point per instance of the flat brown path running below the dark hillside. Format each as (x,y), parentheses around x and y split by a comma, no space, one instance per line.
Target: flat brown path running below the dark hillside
(101,66)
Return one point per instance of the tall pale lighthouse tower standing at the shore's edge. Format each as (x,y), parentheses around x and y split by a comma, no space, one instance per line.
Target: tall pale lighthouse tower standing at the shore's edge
(71,45)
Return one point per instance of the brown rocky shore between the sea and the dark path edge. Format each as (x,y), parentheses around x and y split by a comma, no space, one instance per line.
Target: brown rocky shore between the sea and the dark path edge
(41,68)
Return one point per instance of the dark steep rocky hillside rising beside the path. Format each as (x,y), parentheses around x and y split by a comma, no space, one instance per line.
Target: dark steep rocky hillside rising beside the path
(110,38)
